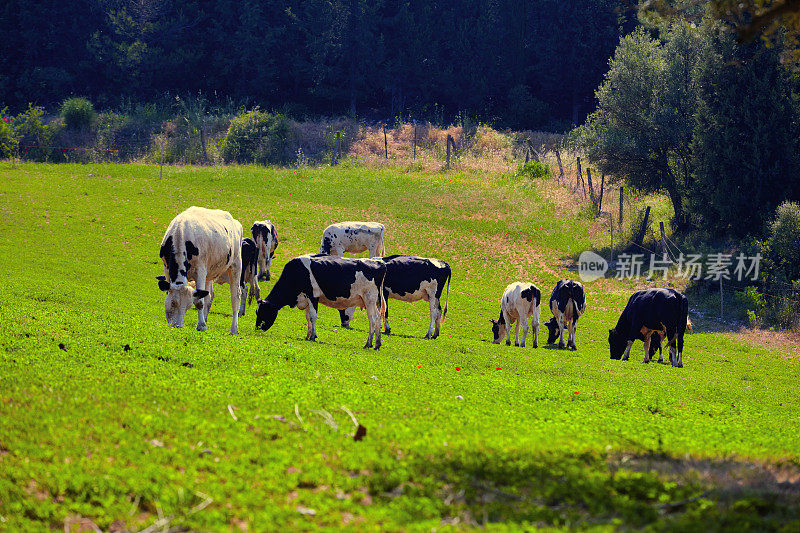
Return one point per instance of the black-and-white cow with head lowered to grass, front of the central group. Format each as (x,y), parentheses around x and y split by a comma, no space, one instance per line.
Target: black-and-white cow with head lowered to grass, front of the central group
(337,282)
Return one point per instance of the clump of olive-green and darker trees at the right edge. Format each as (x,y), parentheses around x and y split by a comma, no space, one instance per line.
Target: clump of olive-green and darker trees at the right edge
(712,123)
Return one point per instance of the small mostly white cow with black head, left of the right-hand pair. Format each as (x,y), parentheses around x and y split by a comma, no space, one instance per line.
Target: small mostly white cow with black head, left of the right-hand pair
(519,301)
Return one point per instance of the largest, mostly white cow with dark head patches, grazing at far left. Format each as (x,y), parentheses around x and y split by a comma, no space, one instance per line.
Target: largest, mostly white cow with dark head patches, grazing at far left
(200,245)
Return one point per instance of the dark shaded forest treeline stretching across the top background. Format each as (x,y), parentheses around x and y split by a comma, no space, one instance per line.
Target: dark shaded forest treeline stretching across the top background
(518,64)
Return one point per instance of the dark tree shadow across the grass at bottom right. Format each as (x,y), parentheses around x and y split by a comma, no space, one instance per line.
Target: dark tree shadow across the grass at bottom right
(564,490)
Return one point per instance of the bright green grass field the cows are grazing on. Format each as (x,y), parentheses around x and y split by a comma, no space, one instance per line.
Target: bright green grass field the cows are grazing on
(109,417)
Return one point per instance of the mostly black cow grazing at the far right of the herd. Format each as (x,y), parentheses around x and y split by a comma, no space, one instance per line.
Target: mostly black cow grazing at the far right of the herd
(651,315)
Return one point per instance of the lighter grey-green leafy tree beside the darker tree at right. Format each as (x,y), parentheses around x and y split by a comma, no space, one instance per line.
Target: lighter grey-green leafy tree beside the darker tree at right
(642,129)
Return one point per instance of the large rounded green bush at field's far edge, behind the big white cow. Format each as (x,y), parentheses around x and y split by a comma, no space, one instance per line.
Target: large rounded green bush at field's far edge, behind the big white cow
(258,137)
